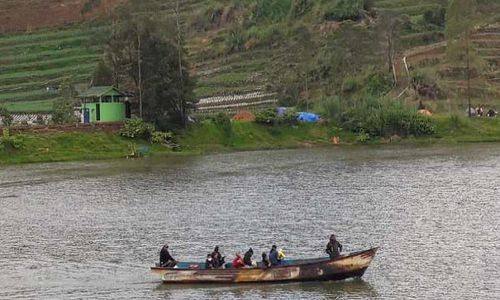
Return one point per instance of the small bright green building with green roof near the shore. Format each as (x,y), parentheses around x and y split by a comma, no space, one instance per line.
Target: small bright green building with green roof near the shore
(104,104)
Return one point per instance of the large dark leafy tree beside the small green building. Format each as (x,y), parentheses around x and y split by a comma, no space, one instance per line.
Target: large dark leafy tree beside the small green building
(151,60)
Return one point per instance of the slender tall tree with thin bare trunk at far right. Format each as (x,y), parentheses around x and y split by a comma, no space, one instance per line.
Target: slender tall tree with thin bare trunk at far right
(462,18)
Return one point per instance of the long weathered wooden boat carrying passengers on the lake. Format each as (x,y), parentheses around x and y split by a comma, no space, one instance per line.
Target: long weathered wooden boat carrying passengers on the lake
(317,269)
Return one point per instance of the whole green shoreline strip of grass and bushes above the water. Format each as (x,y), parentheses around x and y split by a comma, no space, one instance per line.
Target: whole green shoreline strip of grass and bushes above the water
(221,134)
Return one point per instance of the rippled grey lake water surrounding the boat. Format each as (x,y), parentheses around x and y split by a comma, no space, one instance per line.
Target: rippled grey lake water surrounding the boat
(92,230)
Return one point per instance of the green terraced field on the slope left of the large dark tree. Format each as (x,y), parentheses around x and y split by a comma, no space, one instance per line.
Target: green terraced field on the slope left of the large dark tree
(33,65)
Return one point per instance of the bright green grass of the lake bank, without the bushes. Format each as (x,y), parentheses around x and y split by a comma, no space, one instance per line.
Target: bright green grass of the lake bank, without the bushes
(209,137)
